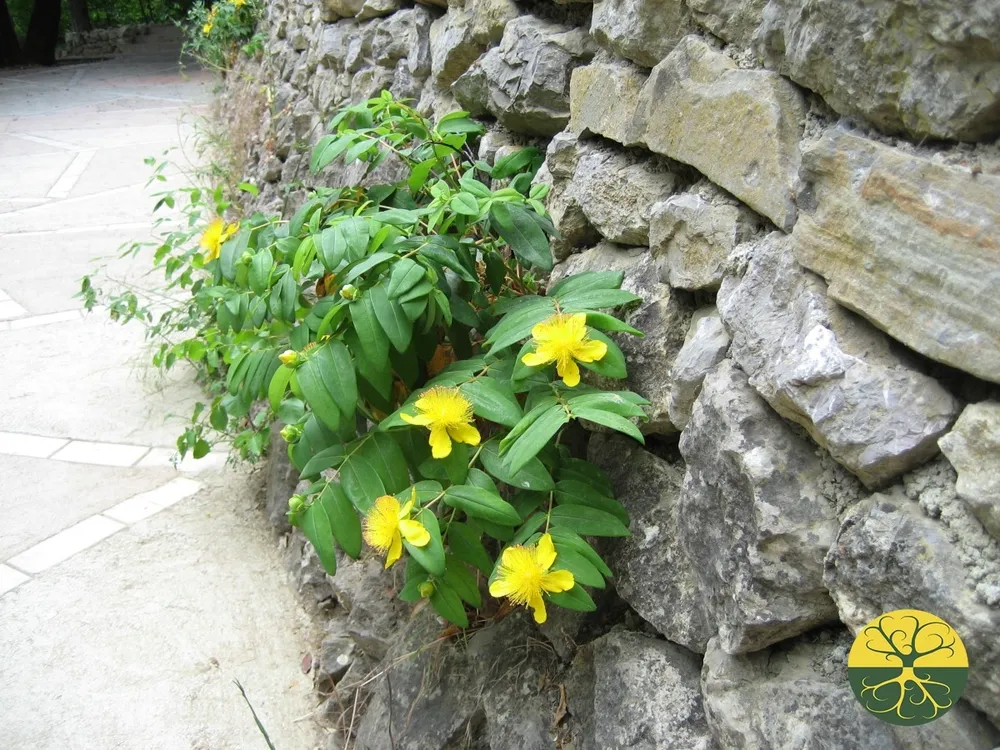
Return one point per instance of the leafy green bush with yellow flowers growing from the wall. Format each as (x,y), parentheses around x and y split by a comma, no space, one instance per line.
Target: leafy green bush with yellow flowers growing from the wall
(399,333)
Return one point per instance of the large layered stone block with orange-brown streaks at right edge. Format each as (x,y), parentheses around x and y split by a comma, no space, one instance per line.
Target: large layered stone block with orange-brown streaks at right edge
(912,245)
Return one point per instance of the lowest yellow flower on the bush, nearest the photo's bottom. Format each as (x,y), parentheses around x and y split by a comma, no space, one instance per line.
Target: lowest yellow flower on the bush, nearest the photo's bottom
(524,574)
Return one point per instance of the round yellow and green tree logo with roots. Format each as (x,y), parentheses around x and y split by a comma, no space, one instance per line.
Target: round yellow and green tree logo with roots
(908,667)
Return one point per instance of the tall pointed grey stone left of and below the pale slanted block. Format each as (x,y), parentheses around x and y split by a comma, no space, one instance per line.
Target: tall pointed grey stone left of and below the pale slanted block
(758,513)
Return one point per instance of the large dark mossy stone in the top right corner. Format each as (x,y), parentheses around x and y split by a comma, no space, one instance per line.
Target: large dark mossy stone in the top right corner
(931,70)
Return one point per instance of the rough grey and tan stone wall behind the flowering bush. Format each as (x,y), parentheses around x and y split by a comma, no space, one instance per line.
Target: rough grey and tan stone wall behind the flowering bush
(807,196)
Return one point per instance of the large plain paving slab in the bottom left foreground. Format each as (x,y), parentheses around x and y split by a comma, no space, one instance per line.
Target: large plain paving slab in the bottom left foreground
(135,642)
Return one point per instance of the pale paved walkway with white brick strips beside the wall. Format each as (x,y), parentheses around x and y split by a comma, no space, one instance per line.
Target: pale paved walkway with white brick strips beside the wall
(132,593)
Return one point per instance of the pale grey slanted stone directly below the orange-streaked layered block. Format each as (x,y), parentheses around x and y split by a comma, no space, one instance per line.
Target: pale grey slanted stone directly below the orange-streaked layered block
(829,371)
